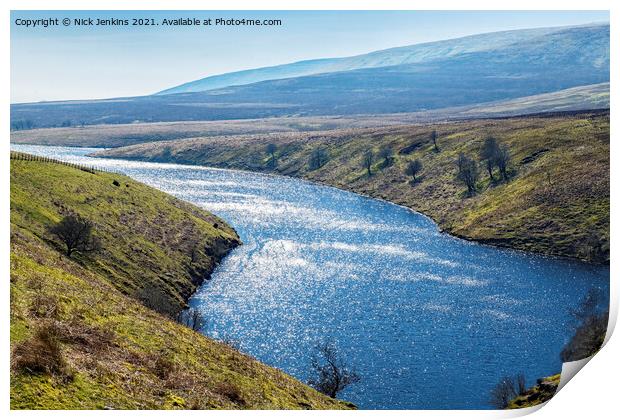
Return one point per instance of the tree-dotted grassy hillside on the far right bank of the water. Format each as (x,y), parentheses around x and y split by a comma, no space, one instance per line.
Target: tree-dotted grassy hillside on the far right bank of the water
(556,201)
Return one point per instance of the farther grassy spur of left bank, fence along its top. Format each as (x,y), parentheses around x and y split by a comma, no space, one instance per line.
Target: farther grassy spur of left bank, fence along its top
(154,246)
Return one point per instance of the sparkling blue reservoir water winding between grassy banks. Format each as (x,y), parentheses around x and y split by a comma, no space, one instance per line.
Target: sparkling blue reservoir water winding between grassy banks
(427,320)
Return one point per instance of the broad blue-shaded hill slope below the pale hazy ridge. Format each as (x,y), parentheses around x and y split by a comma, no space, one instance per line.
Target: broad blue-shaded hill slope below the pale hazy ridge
(533,65)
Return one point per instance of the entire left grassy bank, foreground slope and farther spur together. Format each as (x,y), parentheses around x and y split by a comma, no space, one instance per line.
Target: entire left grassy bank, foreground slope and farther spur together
(78,341)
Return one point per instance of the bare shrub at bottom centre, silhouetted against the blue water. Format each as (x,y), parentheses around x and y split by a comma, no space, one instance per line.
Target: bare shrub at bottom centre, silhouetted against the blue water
(332,375)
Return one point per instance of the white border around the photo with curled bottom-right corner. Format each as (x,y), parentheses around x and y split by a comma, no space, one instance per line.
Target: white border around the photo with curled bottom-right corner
(591,396)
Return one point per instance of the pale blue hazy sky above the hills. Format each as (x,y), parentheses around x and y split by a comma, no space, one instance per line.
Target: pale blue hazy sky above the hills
(101,62)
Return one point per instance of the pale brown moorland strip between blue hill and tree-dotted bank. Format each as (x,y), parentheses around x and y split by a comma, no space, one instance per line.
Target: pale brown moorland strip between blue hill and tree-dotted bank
(581,98)
